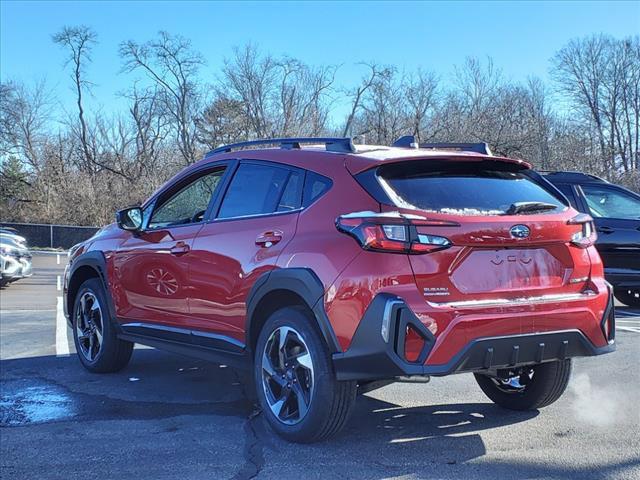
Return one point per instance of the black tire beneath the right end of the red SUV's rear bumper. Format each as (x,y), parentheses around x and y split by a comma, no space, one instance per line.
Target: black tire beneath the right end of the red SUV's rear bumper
(547,385)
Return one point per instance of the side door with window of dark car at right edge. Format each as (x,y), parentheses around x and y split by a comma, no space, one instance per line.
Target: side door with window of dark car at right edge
(616,213)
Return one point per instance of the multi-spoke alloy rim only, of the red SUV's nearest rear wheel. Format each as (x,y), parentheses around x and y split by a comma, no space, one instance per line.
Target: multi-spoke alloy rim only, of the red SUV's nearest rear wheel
(287,375)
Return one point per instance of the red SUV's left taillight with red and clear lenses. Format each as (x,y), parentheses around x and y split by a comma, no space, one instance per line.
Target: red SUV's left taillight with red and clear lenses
(390,233)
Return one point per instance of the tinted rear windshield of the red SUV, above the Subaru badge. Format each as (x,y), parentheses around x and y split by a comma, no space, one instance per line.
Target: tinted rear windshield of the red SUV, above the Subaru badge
(486,188)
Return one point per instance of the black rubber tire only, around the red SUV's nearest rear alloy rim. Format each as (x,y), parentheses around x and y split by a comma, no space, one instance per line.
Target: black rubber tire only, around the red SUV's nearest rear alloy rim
(331,401)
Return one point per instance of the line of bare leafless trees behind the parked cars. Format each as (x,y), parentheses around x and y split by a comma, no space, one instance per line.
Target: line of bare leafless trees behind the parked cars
(81,170)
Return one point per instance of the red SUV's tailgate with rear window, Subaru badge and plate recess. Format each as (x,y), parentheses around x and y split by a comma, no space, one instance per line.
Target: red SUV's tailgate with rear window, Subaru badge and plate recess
(498,253)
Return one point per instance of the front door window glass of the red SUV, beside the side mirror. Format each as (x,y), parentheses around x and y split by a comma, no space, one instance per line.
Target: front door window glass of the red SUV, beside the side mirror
(187,205)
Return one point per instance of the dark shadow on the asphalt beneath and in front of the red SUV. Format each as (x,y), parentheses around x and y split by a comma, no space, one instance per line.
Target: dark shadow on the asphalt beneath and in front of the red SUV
(176,398)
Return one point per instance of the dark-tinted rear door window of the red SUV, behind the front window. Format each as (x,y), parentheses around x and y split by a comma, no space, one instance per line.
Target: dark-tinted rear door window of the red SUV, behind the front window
(254,190)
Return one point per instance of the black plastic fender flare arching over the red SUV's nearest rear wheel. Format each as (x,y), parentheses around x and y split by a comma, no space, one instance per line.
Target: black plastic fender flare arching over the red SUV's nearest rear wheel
(305,284)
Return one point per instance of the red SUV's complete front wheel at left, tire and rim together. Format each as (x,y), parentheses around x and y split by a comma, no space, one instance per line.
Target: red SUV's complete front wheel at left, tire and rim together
(97,344)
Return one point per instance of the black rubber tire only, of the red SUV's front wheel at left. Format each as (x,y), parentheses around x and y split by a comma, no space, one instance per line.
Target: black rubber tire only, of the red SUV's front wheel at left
(113,354)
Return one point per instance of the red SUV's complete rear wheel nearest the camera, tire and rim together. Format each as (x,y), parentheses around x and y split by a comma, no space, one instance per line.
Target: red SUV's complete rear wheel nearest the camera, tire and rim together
(297,389)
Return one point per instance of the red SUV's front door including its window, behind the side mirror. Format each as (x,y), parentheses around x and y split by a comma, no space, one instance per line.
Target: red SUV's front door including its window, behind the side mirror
(152,267)
